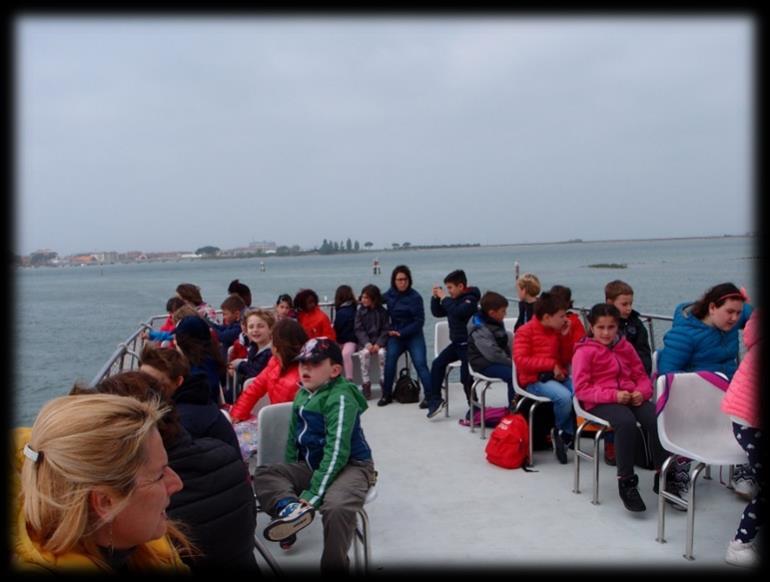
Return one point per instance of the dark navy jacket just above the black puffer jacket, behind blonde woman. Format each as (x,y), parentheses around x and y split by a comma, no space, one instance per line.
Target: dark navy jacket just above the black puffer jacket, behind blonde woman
(198,415)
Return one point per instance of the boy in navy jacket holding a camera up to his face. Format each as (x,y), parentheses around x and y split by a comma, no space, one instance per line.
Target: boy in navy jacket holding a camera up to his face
(458,304)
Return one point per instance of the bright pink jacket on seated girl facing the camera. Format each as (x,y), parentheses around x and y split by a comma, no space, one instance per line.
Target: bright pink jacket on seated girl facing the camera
(599,371)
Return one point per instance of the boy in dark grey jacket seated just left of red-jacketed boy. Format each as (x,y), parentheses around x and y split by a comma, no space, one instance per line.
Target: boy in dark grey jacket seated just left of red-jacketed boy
(489,351)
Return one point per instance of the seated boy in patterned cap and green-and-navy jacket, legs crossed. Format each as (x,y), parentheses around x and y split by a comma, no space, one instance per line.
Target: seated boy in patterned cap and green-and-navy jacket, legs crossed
(328,464)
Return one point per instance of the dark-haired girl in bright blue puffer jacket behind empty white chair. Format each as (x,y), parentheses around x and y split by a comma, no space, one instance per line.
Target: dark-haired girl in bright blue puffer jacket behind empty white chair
(704,336)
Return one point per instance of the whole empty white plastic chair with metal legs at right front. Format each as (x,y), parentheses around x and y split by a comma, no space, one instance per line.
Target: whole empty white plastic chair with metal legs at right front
(692,424)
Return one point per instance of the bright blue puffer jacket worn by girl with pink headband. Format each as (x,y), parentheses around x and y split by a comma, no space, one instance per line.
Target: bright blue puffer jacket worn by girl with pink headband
(691,345)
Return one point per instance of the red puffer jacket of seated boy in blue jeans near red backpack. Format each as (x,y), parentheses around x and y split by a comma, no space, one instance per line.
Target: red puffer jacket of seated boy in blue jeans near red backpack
(537,348)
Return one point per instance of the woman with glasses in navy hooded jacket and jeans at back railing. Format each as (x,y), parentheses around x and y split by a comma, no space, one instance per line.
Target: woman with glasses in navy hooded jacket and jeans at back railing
(407,317)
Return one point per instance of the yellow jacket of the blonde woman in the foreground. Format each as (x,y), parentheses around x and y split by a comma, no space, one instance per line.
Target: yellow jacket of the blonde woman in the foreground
(29,556)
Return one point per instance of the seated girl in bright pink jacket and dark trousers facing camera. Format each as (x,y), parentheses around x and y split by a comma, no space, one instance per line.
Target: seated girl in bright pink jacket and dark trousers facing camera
(609,380)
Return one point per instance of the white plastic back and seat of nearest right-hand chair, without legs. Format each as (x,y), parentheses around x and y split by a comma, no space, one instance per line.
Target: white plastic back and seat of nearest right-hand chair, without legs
(691,422)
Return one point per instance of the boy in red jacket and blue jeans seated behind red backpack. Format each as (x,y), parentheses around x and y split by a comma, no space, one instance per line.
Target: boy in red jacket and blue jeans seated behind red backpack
(542,352)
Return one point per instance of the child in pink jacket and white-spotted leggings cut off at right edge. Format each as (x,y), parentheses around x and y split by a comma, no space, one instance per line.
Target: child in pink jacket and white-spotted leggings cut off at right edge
(741,403)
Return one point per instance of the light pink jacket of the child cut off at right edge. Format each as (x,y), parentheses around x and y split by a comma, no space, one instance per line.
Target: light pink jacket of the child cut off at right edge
(742,396)
